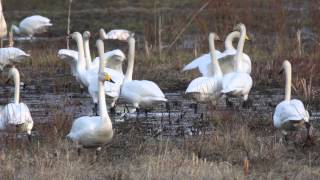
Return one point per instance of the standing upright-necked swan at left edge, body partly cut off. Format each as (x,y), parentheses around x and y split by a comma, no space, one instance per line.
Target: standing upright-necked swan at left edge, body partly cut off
(16,113)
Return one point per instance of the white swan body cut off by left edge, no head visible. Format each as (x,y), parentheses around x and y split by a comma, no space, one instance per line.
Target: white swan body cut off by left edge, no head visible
(11,55)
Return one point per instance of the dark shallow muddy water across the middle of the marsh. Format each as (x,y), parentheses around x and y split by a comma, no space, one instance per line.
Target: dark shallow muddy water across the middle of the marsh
(179,117)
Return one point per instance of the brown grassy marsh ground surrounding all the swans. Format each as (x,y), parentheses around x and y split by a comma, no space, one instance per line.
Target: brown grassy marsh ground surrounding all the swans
(209,144)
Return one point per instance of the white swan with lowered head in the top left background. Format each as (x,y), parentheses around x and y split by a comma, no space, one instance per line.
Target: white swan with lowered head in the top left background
(32,25)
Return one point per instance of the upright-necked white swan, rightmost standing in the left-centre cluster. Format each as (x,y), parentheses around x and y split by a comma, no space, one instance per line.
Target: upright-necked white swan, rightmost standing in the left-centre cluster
(140,93)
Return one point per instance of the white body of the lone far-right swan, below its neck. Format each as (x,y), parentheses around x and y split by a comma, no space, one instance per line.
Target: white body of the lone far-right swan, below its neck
(292,110)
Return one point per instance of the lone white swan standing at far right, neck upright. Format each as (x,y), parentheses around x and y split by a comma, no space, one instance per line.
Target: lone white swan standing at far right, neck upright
(290,112)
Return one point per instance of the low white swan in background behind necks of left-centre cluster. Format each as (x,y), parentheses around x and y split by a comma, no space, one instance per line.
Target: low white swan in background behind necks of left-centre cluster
(116,34)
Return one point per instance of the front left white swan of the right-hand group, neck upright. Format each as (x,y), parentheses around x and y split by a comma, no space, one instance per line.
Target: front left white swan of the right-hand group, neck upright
(205,88)
